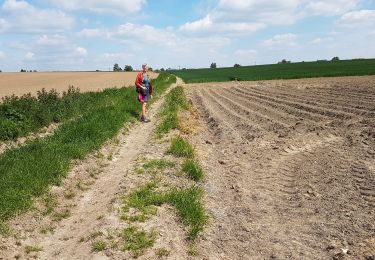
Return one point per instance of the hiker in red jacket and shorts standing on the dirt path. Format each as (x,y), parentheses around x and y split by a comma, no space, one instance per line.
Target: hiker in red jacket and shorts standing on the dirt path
(144,90)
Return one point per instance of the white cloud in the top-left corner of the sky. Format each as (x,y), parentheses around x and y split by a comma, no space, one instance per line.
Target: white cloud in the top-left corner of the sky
(22,17)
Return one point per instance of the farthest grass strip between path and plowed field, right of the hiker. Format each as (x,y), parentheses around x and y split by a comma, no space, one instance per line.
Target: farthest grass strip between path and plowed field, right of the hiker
(174,101)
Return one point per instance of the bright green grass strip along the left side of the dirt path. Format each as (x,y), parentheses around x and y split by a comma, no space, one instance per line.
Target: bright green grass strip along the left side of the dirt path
(28,171)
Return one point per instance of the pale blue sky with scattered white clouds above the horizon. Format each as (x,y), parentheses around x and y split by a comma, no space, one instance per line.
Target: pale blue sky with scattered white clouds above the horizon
(95,34)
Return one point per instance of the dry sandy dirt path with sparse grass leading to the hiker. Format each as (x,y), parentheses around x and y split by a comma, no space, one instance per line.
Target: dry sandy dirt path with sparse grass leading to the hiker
(94,210)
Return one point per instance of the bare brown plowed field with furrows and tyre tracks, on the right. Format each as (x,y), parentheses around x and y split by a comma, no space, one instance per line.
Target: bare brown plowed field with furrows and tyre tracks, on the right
(290,168)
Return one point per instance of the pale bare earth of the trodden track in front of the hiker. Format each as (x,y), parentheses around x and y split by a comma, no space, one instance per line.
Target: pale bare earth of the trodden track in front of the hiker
(86,207)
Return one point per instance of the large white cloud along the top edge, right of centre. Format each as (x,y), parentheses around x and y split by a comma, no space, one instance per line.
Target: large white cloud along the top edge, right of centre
(248,16)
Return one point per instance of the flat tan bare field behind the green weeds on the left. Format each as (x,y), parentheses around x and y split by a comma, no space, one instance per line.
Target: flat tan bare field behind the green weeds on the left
(19,83)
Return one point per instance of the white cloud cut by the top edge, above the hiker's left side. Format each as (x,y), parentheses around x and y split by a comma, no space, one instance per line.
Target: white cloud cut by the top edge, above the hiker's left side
(120,7)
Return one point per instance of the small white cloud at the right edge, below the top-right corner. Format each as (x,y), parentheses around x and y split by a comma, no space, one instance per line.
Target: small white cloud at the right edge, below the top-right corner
(358,19)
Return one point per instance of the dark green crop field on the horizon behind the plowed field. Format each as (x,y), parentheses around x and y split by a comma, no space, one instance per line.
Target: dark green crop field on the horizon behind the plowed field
(280,71)
